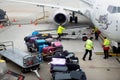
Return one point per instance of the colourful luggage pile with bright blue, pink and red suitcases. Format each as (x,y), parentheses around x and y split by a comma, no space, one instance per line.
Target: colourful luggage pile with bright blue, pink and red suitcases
(43,44)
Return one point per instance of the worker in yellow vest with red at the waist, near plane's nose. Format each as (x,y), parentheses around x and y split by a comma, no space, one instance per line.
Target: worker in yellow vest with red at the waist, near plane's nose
(106,47)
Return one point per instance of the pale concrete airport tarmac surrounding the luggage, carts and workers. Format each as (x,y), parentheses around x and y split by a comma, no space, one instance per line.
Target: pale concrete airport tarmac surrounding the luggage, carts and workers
(96,69)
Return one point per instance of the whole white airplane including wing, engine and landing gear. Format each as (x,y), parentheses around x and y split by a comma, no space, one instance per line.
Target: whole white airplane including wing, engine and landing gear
(105,15)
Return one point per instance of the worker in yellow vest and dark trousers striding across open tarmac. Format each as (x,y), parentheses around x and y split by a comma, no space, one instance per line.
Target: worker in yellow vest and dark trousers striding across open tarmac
(88,48)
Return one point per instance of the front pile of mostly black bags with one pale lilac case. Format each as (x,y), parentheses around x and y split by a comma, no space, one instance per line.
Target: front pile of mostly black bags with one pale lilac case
(65,66)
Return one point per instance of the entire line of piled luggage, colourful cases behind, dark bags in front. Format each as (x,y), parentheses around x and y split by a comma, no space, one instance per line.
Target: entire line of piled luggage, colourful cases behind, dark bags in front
(64,65)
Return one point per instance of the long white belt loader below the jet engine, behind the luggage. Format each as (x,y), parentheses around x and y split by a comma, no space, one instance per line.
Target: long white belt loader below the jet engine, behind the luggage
(70,33)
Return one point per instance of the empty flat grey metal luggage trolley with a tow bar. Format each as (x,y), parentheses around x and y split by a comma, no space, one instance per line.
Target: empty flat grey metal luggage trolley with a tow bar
(26,61)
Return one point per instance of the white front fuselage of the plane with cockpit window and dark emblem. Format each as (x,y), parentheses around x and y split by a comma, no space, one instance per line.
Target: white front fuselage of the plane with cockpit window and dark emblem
(106,17)
